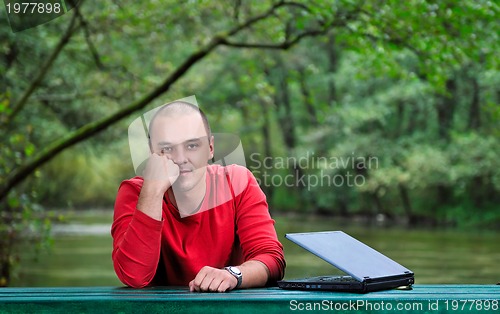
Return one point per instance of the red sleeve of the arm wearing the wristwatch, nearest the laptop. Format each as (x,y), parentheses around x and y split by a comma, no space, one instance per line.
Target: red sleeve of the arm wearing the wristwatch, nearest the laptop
(255,227)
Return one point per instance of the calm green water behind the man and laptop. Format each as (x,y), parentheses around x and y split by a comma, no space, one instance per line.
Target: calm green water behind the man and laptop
(435,256)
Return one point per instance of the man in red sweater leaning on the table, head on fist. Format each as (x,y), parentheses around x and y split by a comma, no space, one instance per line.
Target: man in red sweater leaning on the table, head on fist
(189,223)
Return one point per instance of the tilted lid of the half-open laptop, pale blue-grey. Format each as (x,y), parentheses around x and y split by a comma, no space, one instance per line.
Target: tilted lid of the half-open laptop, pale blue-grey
(348,254)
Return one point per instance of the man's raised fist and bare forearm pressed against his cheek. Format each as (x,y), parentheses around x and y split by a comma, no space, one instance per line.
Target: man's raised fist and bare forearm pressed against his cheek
(159,175)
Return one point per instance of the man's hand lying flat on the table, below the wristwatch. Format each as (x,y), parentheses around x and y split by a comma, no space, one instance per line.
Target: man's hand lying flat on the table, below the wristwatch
(211,279)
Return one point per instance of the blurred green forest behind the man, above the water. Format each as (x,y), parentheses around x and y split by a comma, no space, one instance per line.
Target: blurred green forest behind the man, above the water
(348,108)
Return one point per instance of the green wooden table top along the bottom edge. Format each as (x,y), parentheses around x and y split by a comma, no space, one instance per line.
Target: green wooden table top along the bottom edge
(422,299)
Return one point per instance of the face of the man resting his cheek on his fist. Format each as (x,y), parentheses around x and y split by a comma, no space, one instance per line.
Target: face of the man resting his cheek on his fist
(183,139)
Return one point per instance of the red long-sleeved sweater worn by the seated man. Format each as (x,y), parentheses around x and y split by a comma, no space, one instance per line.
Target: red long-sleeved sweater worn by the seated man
(224,232)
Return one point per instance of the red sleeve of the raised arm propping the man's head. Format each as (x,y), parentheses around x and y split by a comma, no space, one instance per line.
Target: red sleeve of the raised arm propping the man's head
(136,238)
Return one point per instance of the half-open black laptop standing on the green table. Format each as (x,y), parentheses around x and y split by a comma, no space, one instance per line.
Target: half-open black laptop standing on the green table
(367,269)
